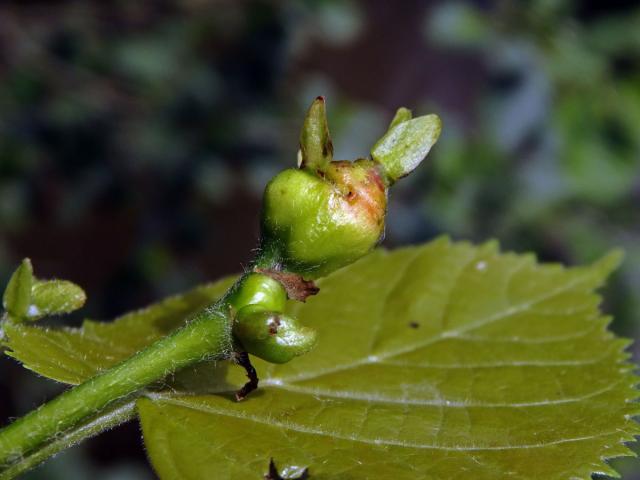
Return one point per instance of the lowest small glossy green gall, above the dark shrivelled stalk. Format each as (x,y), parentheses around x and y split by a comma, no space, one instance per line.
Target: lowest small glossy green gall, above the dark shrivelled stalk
(274,337)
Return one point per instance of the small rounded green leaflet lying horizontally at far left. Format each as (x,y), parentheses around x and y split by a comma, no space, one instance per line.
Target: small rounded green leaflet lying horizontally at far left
(54,297)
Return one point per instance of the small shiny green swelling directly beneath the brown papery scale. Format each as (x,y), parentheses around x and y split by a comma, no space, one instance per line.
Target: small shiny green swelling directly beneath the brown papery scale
(259,290)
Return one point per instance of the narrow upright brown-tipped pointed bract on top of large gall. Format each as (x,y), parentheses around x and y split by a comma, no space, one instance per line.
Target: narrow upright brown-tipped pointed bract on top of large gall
(316,148)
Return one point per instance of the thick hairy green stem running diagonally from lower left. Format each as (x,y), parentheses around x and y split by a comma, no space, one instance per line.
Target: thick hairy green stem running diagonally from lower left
(208,335)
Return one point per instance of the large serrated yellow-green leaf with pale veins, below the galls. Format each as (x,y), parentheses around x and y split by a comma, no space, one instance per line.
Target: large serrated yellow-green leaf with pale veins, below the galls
(441,361)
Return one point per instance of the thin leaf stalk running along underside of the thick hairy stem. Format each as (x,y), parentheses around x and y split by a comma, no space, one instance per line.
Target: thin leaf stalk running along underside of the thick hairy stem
(110,418)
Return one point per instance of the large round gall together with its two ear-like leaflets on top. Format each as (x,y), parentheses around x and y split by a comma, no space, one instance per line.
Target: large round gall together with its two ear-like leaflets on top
(326,214)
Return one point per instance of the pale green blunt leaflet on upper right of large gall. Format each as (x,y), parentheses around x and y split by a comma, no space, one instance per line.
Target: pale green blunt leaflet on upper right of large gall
(406,143)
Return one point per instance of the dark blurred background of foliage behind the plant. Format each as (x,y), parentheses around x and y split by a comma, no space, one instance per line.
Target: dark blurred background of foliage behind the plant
(136,137)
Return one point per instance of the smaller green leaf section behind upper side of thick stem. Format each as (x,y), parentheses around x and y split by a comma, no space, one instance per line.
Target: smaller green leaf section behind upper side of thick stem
(73,355)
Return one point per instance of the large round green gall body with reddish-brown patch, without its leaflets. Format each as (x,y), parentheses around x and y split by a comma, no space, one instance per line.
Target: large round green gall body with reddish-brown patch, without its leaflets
(316,224)
